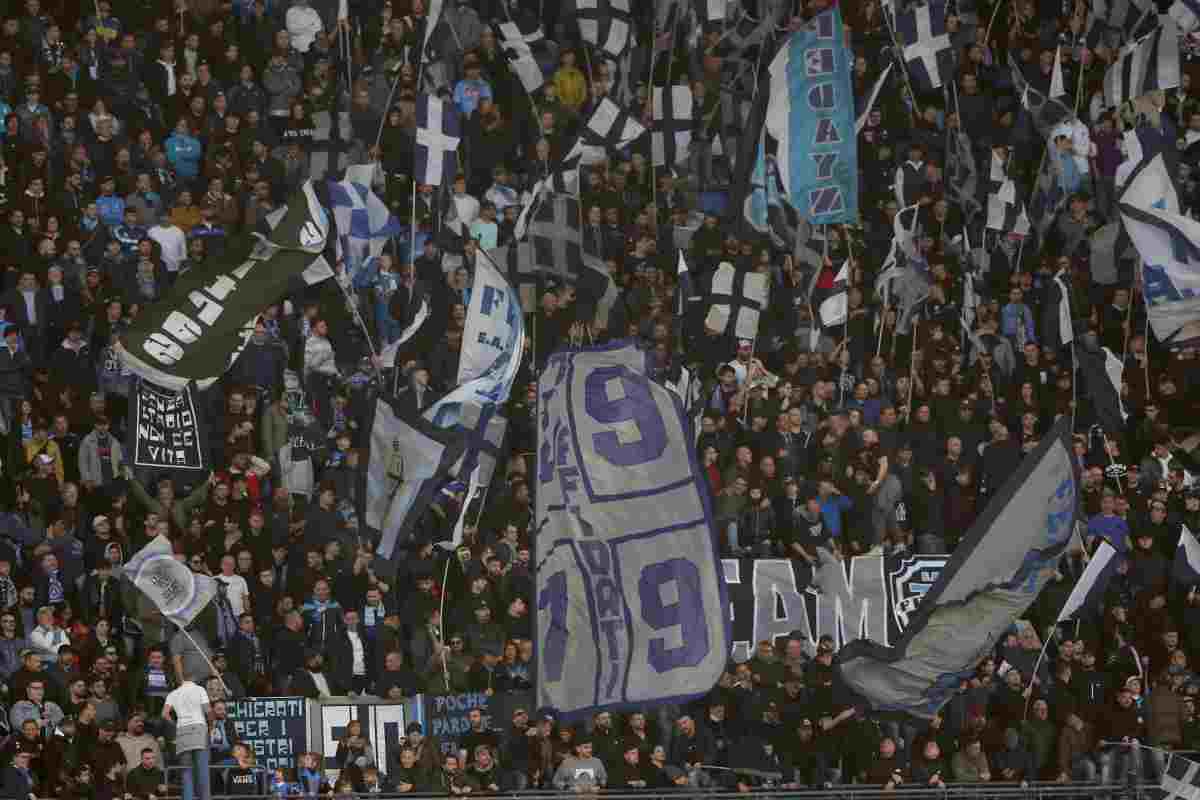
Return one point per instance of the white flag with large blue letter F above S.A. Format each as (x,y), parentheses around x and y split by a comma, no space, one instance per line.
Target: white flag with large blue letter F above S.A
(494,335)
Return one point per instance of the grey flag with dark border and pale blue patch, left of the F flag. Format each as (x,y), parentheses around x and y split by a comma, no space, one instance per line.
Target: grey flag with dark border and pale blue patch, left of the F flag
(409,459)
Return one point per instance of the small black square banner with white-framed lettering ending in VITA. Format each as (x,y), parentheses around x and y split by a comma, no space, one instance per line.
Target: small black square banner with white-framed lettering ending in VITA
(169,431)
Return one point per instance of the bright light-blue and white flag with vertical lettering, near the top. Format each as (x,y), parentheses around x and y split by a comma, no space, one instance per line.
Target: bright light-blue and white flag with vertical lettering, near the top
(811,116)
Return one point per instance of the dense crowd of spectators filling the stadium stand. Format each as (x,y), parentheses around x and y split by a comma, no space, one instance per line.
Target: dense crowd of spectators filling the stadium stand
(141,140)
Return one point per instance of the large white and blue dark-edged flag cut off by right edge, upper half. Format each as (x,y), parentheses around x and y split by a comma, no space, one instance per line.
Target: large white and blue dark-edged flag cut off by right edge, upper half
(1167,244)
